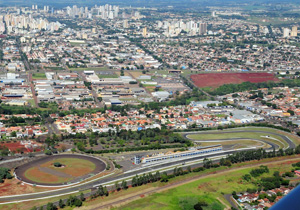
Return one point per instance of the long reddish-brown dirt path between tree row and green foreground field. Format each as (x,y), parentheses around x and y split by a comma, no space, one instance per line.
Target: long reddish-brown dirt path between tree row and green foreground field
(134,196)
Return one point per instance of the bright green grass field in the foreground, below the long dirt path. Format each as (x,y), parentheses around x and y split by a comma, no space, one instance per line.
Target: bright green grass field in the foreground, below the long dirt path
(209,189)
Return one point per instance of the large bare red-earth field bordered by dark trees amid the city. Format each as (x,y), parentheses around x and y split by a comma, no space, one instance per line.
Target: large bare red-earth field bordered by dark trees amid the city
(217,79)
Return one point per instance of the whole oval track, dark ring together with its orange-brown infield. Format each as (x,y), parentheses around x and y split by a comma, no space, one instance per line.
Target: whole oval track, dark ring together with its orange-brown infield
(42,172)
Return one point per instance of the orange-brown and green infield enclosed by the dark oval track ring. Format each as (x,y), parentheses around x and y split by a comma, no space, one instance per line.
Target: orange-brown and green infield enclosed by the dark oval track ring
(74,167)
